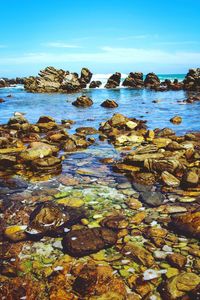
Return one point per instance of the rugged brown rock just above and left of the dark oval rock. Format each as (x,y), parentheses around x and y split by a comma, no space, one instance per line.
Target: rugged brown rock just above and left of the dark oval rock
(47,218)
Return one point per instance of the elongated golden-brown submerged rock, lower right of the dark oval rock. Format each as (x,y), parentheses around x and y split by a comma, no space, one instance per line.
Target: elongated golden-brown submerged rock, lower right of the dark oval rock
(138,253)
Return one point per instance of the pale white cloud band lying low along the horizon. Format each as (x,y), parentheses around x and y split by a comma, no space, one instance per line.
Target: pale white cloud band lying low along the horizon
(110,55)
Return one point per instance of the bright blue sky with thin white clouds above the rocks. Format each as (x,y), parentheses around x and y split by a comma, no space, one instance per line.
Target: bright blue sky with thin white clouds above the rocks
(106,36)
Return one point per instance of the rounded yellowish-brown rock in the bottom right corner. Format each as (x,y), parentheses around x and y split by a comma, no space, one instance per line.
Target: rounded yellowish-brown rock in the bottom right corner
(179,285)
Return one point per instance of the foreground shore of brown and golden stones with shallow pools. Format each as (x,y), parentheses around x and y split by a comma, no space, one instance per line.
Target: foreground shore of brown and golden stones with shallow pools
(90,235)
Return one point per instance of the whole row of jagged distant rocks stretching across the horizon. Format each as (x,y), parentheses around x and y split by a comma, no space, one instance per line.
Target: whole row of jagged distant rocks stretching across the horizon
(52,80)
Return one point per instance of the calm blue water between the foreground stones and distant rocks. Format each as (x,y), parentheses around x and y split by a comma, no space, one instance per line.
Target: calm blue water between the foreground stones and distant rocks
(132,103)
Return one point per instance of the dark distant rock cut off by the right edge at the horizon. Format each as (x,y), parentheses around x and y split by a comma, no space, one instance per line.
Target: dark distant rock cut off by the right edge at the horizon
(192,80)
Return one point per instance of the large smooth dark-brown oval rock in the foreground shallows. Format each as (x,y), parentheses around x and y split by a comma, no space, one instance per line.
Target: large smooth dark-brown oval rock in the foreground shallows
(86,241)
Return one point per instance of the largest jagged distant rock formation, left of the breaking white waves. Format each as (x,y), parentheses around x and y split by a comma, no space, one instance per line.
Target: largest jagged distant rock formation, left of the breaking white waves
(52,80)
